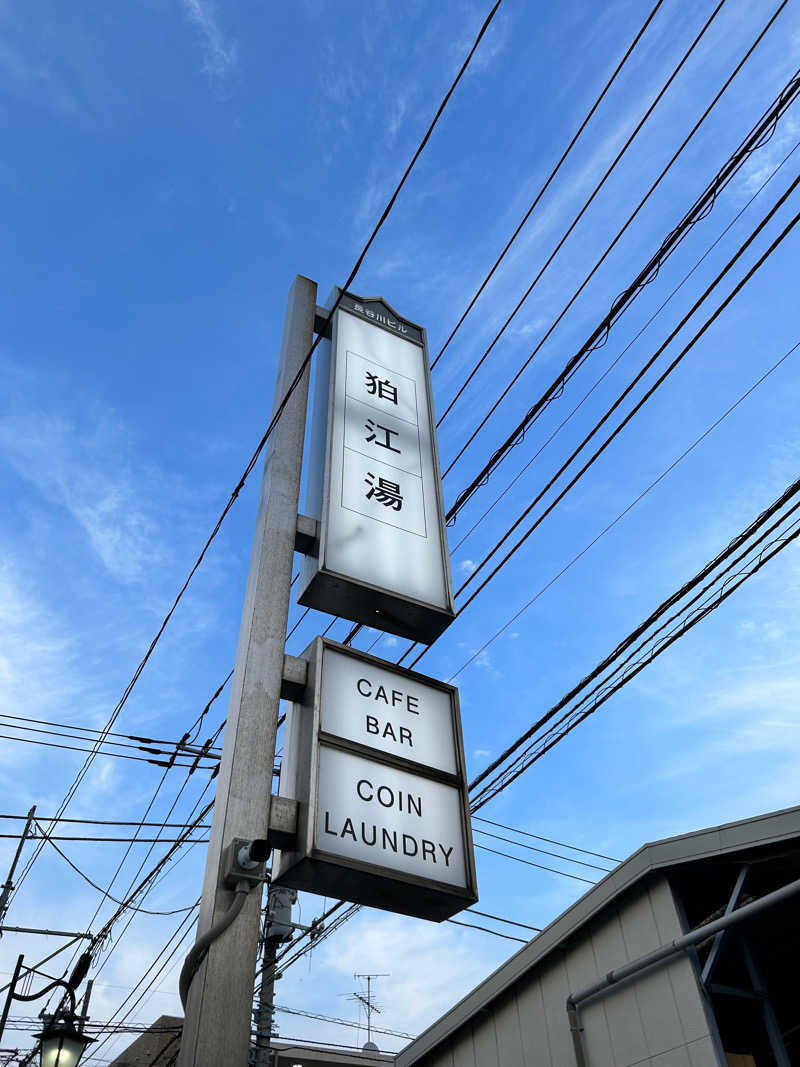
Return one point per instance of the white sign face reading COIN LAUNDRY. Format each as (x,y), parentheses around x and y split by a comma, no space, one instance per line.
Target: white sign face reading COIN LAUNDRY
(375,814)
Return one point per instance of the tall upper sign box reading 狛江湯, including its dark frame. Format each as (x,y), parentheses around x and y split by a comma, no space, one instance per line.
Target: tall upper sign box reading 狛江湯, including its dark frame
(375,482)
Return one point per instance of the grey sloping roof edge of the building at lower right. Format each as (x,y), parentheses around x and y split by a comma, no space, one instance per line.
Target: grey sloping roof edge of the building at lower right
(660,856)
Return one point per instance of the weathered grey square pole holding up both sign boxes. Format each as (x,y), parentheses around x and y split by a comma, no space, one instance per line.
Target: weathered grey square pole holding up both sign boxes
(218,1017)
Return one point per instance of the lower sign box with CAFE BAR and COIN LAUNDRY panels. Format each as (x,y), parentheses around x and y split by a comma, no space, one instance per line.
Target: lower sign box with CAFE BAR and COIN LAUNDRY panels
(376,761)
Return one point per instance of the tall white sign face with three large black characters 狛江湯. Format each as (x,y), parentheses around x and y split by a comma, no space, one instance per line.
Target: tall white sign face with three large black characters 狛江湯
(383,524)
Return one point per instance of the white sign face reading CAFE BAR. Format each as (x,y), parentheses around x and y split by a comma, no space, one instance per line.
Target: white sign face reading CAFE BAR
(387,711)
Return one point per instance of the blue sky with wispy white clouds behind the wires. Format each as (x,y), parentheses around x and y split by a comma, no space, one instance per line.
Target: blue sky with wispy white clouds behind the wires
(169,168)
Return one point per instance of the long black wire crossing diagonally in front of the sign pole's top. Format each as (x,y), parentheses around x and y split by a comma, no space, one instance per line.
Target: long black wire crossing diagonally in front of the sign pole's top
(274,422)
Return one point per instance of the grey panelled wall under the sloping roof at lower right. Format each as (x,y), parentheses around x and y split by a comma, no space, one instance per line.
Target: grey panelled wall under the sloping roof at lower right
(658,1020)
